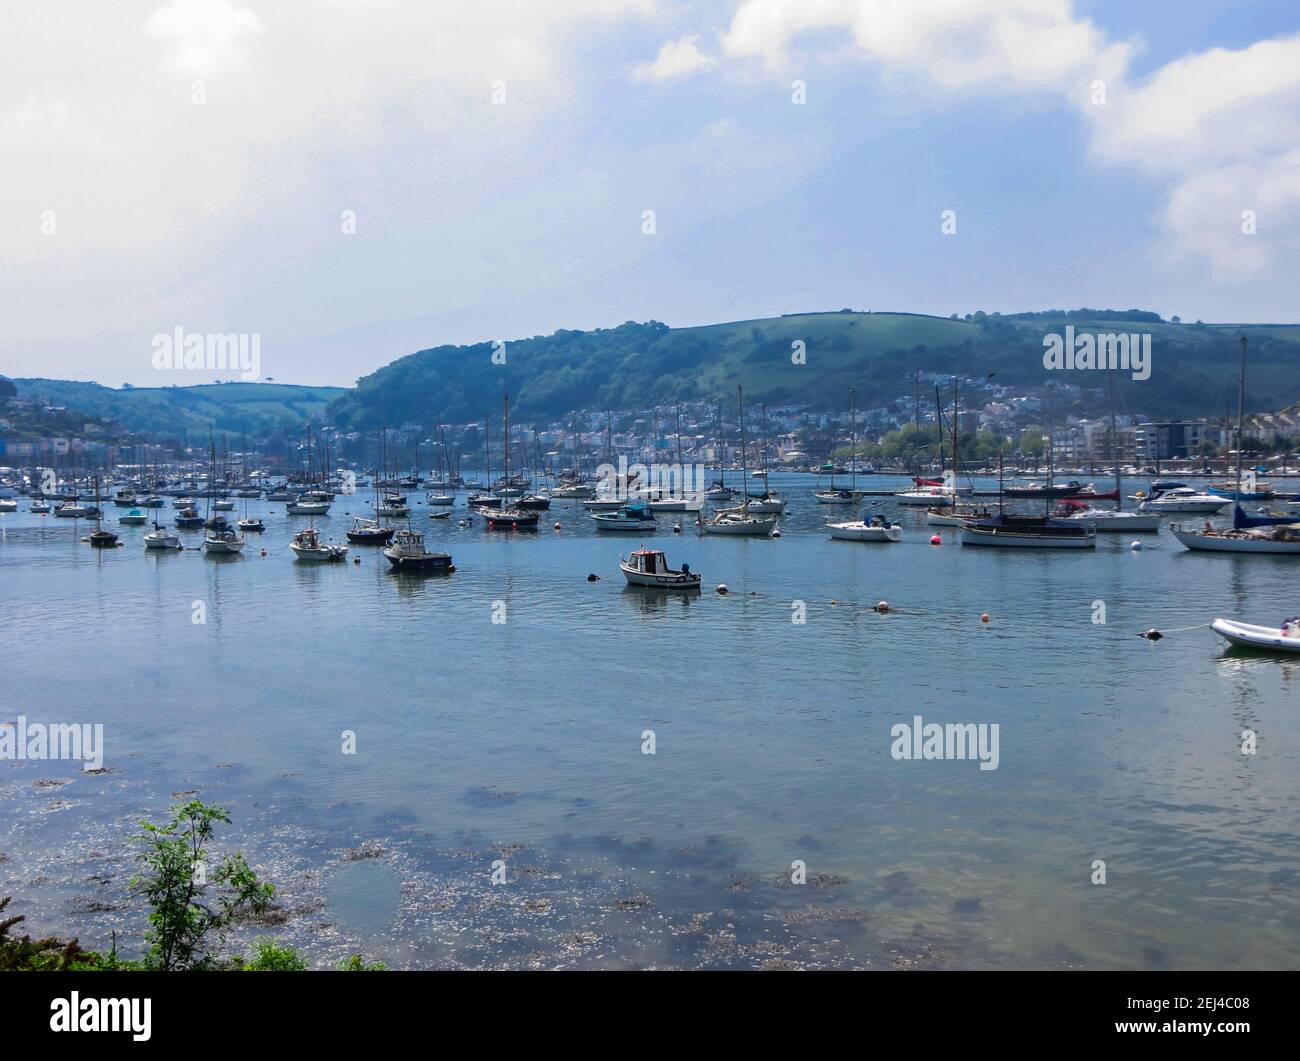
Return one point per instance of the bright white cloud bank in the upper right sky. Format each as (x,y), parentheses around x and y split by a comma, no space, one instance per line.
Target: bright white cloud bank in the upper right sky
(1219,127)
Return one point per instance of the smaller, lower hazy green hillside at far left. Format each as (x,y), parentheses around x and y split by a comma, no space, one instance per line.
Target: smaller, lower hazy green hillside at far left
(237,408)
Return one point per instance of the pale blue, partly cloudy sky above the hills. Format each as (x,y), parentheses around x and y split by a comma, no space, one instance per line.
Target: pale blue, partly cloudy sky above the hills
(356,180)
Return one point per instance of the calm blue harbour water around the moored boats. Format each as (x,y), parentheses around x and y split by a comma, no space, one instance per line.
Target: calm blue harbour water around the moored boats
(521,743)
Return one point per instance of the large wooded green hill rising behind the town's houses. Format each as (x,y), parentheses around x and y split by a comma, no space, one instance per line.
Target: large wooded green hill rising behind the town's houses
(639,366)
